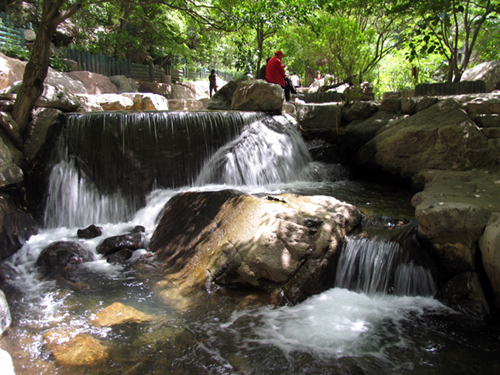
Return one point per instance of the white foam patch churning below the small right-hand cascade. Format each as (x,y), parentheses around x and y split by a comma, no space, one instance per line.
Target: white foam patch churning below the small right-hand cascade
(335,323)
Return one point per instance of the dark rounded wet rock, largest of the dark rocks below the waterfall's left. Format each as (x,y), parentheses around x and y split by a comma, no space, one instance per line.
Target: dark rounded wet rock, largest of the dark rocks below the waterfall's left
(62,258)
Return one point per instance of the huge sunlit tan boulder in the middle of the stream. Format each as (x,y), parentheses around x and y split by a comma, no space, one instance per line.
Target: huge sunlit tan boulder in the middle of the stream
(282,243)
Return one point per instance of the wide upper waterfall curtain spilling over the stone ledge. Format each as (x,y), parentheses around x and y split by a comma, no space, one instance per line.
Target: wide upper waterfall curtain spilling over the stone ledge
(107,163)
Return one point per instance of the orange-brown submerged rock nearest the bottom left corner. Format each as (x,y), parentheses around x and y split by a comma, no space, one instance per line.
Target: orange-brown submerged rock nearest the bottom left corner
(71,349)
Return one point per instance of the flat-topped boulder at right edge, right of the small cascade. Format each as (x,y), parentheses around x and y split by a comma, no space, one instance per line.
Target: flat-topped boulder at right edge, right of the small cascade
(453,211)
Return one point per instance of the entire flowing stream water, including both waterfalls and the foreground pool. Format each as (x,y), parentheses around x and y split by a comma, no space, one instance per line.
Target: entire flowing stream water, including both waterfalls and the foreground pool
(379,319)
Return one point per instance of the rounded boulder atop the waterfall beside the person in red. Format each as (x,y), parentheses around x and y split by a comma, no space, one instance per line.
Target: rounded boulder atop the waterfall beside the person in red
(258,95)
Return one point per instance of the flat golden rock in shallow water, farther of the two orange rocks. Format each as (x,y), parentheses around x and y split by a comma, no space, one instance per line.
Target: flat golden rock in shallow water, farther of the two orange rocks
(118,314)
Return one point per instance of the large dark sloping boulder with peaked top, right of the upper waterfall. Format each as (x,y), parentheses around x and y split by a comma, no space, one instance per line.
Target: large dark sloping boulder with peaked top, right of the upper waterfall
(440,137)
